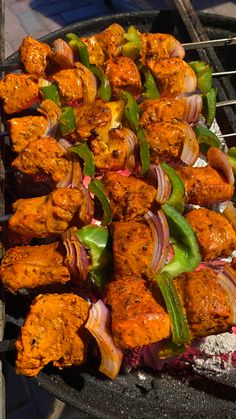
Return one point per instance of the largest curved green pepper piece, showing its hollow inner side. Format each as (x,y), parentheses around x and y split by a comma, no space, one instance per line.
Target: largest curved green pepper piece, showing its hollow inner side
(187,254)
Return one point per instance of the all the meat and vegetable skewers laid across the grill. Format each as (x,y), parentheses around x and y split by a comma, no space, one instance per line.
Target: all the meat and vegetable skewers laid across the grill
(118,244)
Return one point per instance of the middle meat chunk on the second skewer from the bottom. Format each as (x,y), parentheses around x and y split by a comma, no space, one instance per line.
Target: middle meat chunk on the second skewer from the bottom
(132,249)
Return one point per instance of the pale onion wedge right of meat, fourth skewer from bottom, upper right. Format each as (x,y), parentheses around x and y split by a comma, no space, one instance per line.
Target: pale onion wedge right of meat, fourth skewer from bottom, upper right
(190,150)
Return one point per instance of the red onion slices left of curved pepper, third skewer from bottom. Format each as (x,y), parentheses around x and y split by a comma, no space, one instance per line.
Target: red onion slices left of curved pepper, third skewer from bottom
(161,182)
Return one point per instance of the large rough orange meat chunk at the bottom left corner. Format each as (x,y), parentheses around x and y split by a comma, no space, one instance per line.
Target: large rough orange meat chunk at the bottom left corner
(53,331)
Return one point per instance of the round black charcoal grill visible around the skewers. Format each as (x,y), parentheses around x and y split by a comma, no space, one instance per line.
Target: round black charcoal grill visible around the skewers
(142,393)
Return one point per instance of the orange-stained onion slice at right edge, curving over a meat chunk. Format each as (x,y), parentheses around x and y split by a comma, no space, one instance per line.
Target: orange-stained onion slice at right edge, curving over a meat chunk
(220,161)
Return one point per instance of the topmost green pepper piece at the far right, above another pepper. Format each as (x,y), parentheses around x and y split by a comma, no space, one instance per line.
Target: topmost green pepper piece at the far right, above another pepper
(203,72)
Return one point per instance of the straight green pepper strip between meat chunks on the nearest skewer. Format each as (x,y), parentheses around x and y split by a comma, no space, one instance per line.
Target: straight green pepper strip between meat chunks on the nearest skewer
(179,323)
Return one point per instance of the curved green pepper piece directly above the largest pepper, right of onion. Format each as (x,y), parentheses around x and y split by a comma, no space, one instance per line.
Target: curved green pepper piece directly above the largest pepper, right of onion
(177,197)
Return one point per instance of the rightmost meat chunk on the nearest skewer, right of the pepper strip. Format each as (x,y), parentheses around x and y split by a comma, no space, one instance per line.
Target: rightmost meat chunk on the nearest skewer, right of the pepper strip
(206,303)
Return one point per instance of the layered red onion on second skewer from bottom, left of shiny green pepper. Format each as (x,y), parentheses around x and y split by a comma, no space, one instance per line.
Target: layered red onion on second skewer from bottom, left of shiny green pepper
(76,256)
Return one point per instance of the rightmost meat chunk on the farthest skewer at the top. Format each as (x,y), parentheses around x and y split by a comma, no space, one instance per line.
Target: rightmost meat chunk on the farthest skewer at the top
(159,45)
